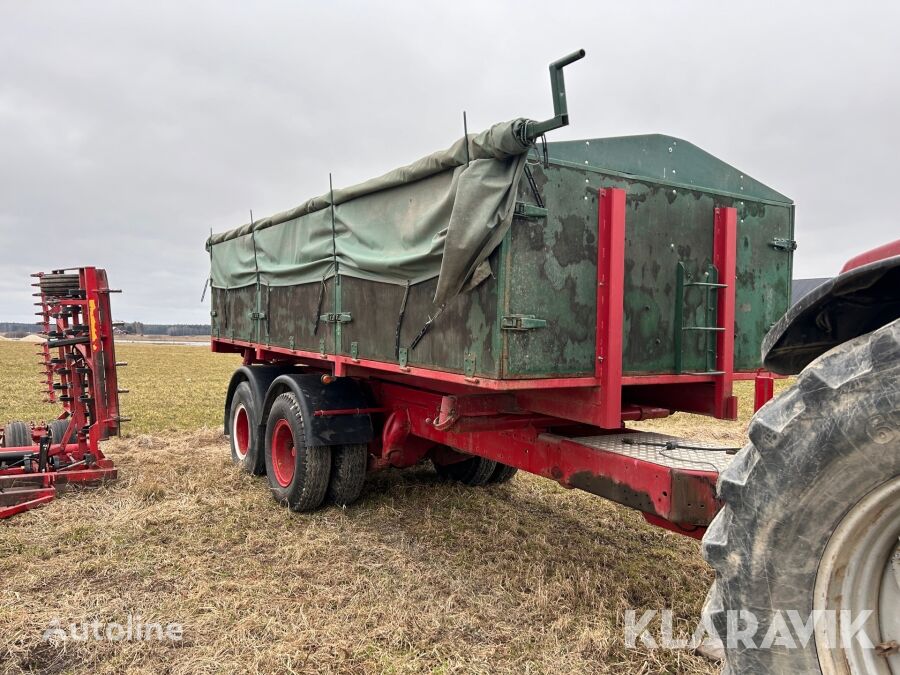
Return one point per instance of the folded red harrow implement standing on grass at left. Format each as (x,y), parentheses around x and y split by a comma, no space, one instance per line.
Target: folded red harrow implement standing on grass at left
(80,373)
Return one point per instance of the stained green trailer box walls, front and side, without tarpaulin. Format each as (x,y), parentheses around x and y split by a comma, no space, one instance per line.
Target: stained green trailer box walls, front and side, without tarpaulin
(534,315)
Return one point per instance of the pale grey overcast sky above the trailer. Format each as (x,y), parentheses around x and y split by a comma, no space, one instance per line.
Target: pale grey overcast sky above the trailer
(129,129)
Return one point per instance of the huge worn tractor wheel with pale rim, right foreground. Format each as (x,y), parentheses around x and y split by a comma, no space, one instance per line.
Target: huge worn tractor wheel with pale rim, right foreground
(812,518)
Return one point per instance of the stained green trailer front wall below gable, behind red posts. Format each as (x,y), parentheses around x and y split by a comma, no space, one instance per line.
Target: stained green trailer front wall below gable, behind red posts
(550,271)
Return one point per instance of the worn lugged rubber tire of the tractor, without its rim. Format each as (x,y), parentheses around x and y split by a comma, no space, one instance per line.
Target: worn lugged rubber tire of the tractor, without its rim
(814,452)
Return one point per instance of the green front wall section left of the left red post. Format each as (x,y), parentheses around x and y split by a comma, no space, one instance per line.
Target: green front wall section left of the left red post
(550,273)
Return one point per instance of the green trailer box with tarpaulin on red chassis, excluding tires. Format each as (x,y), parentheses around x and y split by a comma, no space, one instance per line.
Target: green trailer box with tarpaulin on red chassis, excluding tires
(615,280)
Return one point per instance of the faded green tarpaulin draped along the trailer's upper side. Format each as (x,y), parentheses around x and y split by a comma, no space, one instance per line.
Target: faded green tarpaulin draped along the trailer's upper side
(438,217)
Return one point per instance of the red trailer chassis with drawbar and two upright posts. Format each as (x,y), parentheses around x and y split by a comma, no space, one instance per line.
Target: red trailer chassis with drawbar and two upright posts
(571,430)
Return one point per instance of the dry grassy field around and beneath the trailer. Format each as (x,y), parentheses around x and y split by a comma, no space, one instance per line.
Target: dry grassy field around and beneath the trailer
(419,576)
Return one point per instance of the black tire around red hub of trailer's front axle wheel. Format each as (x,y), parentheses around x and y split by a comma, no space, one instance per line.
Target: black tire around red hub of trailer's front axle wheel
(312,465)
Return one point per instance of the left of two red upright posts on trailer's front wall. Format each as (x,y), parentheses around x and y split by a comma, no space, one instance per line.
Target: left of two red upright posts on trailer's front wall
(610,304)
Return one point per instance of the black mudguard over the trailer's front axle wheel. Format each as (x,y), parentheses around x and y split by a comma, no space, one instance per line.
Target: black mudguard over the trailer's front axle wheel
(342,394)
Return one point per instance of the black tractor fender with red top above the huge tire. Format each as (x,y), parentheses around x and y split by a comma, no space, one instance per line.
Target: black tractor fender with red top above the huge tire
(857,301)
